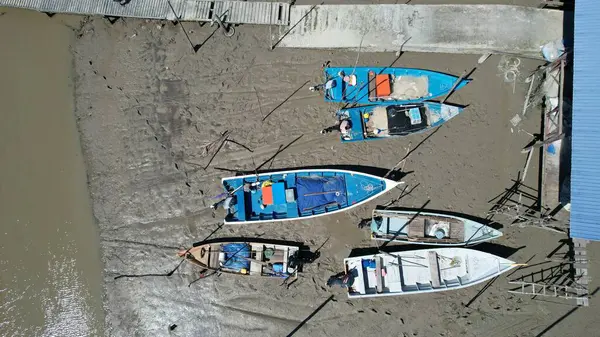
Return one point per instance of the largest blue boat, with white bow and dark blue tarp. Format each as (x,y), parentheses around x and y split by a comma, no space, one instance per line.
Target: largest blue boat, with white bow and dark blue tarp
(299,194)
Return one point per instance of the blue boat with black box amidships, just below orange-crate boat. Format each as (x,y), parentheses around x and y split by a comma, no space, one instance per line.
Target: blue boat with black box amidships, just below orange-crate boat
(385,121)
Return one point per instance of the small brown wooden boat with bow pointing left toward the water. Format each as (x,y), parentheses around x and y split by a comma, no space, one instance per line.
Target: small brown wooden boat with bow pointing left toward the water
(245,258)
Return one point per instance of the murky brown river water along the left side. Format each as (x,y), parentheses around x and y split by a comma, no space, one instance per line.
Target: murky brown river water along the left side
(50,270)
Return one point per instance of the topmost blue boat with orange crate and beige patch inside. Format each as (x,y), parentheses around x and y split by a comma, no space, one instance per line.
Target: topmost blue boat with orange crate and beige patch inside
(384,85)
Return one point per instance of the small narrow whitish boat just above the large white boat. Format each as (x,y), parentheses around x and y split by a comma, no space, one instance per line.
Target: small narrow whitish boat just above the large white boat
(429,228)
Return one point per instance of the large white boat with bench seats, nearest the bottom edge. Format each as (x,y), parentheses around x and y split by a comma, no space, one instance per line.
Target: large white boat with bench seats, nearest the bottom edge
(421,271)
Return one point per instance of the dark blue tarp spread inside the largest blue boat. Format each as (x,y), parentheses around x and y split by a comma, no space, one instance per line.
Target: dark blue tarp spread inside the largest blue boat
(315,191)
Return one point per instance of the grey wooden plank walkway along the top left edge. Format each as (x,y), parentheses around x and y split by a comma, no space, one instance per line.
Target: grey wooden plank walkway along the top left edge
(239,12)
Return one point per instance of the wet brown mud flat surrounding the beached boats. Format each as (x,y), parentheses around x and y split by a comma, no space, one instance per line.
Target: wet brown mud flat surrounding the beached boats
(151,114)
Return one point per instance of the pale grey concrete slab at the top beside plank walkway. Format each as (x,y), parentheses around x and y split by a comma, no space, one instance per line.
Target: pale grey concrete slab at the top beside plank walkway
(430,28)
